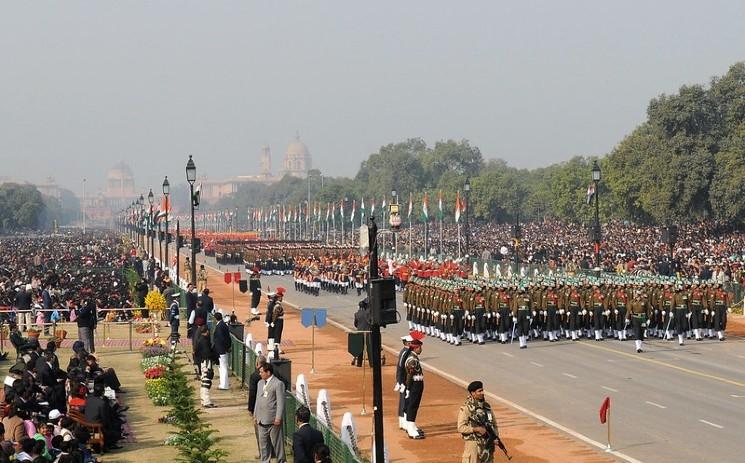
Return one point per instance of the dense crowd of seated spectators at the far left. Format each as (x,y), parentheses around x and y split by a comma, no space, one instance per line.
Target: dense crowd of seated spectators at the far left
(59,409)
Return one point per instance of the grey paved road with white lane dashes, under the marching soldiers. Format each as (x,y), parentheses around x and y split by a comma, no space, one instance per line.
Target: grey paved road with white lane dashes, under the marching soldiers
(669,404)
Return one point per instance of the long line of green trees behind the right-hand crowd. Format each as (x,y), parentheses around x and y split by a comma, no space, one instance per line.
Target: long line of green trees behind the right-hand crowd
(684,163)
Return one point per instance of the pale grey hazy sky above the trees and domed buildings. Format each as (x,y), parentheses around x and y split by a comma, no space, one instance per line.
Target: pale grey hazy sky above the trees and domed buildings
(84,85)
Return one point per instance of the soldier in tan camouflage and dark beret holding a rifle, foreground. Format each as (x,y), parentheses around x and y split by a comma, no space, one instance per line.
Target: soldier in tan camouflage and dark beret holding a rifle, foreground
(477,425)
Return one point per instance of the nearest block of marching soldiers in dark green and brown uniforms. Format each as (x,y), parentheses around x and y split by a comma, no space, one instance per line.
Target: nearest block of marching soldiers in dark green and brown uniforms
(556,308)
